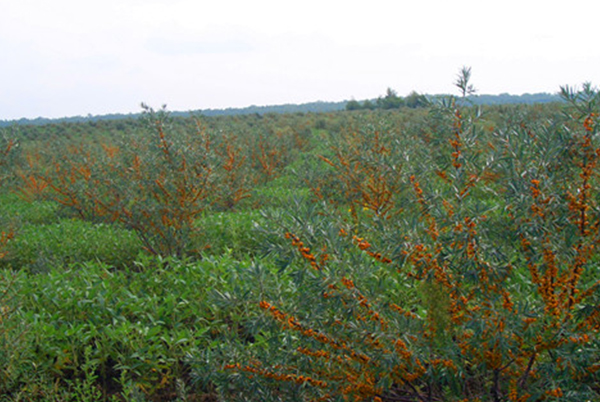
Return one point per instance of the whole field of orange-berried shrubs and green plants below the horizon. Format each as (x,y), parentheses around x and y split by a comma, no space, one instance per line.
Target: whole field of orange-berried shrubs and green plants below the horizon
(443,253)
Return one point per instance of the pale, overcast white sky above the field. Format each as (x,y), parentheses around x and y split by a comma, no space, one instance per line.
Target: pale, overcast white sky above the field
(65,58)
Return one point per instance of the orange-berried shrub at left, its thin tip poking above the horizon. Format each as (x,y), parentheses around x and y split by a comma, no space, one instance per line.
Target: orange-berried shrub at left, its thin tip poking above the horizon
(152,183)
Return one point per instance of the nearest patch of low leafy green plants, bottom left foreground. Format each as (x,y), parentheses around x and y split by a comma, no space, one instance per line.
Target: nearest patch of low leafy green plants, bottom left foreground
(89,327)
